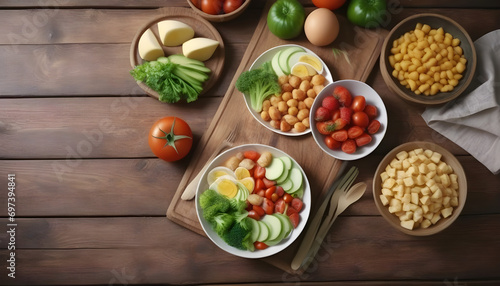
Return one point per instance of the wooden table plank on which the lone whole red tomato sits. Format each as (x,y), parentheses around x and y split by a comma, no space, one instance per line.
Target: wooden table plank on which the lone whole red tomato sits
(102,127)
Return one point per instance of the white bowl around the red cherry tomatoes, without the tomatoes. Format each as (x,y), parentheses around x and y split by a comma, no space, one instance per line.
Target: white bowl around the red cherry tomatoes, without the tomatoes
(356,88)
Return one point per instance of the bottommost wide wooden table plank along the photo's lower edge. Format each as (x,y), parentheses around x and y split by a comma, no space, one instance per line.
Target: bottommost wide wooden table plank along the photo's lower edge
(139,248)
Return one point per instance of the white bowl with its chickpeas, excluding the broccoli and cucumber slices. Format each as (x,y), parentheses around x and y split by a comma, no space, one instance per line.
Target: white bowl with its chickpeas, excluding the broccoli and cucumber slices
(287,113)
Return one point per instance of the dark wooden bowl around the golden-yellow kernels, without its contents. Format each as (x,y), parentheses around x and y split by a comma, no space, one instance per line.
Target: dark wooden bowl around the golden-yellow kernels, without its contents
(435,21)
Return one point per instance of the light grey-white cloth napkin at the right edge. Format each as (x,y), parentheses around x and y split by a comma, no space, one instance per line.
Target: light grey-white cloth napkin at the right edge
(472,120)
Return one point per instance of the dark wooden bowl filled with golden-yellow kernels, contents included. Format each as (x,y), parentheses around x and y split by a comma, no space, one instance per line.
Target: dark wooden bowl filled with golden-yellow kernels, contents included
(428,59)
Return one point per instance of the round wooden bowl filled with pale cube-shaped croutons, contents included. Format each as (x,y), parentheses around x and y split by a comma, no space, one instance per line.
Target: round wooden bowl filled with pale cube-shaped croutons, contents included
(420,188)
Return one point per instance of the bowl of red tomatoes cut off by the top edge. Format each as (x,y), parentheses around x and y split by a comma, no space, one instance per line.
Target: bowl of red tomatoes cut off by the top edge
(219,10)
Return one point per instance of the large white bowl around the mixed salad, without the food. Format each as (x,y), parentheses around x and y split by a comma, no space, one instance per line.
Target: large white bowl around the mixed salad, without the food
(207,228)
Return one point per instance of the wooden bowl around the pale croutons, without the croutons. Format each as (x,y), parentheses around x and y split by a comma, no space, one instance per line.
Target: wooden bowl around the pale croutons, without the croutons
(448,158)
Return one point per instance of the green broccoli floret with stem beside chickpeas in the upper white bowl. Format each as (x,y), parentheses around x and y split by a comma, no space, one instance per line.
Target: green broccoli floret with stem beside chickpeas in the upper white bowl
(258,84)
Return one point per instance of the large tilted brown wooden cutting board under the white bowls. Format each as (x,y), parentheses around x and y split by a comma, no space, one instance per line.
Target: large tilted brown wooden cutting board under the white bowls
(361,48)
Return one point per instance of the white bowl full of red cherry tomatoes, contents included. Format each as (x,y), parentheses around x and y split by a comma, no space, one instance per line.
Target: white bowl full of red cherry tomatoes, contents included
(348,119)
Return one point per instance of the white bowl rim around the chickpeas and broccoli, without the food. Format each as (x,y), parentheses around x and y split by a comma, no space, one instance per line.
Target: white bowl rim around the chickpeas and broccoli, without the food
(267,56)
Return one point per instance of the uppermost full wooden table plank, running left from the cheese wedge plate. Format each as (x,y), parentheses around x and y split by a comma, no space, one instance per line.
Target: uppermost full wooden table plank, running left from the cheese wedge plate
(85,26)
